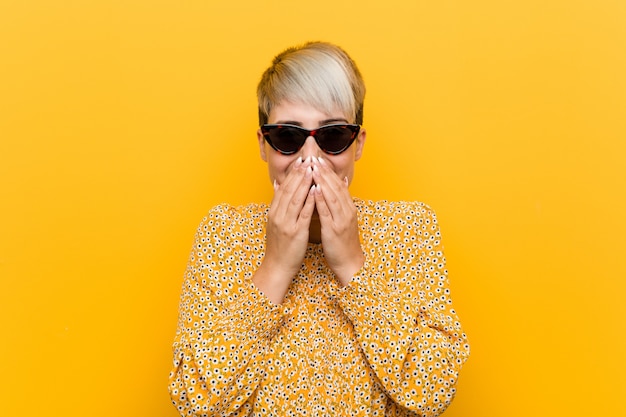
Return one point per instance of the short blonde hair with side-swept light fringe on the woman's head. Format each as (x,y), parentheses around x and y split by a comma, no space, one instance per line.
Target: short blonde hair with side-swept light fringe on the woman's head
(319,74)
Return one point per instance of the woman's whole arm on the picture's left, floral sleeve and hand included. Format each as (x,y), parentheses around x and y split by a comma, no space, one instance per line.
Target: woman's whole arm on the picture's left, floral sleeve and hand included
(229,309)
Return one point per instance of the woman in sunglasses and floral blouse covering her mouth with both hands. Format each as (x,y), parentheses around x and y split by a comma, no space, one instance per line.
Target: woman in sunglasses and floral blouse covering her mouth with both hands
(321,304)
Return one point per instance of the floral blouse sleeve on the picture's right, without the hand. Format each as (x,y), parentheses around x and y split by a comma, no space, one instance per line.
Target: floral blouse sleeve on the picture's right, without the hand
(399,304)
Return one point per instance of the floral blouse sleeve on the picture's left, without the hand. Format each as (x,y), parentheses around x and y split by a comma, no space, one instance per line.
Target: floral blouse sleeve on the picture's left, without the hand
(225,323)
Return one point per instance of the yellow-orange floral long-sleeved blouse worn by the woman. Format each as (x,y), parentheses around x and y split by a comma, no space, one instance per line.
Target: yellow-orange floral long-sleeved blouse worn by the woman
(387,344)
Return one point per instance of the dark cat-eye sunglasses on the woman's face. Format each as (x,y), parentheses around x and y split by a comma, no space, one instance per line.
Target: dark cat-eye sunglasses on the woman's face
(332,139)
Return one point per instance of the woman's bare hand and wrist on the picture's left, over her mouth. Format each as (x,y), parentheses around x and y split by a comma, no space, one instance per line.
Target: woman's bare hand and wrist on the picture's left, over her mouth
(287,231)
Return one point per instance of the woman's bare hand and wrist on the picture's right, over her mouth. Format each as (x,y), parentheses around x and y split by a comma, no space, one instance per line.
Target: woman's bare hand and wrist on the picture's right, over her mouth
(338,219)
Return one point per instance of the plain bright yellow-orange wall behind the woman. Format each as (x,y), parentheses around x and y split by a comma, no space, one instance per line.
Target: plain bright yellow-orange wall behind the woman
(123,122)
